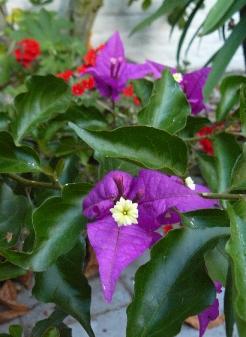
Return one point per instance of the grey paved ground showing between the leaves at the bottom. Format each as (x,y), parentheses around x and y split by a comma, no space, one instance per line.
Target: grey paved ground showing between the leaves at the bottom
(108,320)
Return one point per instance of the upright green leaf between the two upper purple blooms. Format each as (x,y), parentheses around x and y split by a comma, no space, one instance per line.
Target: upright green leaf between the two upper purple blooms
(167,108)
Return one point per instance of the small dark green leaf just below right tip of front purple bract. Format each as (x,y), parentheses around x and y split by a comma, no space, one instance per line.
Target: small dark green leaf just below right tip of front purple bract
(205,218)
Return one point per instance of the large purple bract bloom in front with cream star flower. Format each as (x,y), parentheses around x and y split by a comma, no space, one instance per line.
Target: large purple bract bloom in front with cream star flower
(125,213)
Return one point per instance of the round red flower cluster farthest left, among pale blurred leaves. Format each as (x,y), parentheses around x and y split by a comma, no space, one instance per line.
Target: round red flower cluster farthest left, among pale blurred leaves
(27,50)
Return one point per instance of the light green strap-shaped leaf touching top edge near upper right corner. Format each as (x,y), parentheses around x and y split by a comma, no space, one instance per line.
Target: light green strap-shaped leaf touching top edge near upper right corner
(216,13)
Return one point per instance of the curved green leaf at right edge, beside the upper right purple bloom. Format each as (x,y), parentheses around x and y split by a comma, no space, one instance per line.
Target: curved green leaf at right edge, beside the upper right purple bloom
(229,89)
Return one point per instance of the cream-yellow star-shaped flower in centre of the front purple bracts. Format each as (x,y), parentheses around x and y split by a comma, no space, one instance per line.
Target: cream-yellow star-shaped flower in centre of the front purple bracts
(125,212)
